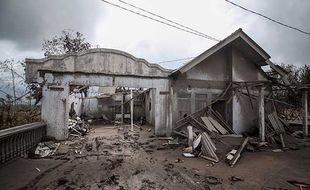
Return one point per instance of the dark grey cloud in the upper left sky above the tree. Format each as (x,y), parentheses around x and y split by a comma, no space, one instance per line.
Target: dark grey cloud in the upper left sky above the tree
(28,22)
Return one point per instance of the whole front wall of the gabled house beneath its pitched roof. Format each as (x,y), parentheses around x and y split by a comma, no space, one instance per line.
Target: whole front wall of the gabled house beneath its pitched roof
(209,78)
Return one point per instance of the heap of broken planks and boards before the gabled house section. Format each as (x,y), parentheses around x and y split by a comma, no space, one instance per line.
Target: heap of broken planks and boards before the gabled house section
(203,127)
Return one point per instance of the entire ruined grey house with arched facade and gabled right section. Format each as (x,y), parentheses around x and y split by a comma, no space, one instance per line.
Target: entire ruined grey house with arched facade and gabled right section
(228,78)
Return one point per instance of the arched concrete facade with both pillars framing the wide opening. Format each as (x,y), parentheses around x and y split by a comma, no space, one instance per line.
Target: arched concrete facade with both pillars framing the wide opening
(97,67)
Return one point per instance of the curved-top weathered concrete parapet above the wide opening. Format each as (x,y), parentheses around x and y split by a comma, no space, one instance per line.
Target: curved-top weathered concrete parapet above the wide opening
(100,61)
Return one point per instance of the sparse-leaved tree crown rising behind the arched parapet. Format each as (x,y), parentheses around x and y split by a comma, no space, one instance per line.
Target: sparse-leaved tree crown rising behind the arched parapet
(67,42)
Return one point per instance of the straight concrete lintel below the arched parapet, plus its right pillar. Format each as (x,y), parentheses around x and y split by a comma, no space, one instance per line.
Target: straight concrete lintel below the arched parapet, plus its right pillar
(161,87)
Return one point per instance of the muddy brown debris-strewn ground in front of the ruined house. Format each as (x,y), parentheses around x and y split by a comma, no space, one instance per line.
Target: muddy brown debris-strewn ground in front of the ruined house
(115,158)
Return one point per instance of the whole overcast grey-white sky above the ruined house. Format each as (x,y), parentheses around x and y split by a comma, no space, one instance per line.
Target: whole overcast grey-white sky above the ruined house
(25,24)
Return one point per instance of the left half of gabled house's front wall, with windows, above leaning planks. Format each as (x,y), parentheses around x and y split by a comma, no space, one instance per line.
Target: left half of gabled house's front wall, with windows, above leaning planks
(197,87)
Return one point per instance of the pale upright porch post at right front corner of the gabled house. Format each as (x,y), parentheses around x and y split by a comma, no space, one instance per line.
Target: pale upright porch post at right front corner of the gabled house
(261,114)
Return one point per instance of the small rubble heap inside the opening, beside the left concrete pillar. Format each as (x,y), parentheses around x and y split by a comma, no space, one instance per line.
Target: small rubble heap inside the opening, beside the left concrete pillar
(78,127)
